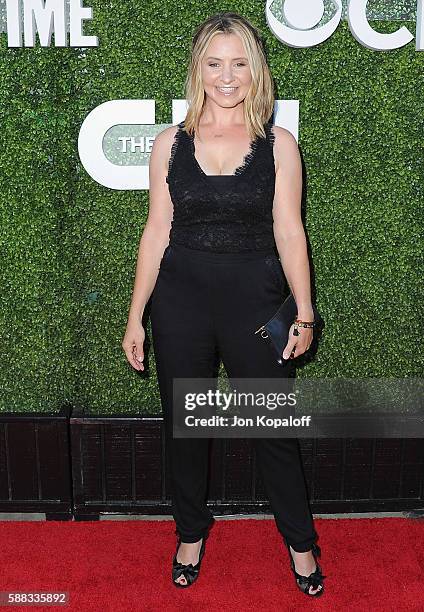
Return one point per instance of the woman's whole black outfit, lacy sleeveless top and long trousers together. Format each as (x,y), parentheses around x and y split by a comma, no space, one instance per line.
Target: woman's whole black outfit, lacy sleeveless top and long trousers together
(220,278)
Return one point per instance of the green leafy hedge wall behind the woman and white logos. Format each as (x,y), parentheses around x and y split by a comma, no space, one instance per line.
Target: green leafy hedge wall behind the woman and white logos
(69,245)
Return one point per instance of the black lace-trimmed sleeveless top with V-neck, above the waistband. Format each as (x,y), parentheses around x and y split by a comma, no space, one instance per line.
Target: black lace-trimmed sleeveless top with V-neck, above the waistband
(222,213)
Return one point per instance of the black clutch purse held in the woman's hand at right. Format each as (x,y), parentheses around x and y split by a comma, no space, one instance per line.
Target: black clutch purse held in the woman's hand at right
(276,330)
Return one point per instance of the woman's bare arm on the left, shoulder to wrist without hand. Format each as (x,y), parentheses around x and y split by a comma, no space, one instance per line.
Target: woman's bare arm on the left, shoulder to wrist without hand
(155,236)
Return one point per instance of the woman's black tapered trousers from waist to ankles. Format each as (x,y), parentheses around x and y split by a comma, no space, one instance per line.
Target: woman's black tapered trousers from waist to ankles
(205,307)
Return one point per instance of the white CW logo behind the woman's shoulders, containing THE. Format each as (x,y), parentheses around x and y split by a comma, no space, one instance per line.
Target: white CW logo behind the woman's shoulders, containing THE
(110,144)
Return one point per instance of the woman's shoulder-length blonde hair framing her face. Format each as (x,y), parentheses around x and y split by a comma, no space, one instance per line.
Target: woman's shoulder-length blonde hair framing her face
(259,102)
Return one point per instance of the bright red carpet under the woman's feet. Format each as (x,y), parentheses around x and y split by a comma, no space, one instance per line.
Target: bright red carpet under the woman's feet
(370,564)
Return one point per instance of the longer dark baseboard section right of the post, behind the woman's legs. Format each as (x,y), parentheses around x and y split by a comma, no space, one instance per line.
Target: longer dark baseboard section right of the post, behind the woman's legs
(118,466)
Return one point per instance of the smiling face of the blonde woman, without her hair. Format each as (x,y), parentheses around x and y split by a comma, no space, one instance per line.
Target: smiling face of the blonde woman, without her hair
(226,72)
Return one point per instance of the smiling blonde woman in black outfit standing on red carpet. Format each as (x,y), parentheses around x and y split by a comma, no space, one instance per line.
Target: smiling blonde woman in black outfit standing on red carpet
(225,193)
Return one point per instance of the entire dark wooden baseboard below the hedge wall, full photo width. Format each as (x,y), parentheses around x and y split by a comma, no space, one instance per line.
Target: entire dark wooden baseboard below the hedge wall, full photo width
(75,465)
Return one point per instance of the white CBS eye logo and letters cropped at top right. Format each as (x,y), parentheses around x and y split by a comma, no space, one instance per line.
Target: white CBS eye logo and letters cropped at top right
(302,15)
